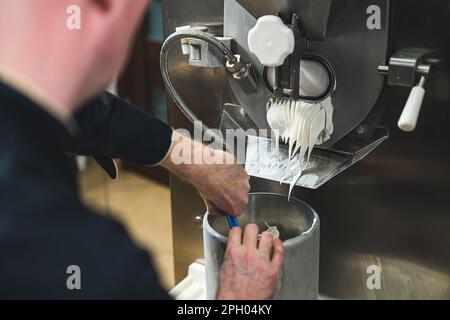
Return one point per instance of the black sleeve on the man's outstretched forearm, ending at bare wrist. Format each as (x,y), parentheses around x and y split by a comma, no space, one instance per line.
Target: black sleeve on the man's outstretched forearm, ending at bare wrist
(112,128)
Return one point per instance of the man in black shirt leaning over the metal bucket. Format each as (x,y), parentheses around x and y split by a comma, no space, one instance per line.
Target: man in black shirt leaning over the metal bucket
(46,72)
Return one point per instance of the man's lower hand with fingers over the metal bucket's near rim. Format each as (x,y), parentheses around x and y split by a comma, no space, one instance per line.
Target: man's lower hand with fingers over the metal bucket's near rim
(250,271)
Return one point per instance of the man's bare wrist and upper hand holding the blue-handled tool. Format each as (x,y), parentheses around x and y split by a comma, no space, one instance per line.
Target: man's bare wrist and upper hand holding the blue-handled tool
(224,186)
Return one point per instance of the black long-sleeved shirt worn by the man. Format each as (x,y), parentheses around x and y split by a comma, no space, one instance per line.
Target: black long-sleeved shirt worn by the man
(44,226)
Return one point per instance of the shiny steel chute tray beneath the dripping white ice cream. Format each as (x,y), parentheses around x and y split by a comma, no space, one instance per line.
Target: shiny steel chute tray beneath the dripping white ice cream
(265,160)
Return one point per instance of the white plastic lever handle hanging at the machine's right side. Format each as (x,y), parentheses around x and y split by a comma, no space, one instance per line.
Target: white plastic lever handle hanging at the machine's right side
(410,114)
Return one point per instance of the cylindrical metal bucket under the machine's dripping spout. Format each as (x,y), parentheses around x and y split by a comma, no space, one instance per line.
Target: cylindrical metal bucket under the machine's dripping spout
(299,229)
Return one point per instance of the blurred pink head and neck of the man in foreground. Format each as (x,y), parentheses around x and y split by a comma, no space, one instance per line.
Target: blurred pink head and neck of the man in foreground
(73,64)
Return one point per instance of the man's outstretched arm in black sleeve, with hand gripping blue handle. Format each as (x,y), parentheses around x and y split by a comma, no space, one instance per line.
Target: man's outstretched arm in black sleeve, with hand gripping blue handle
(112,128)
